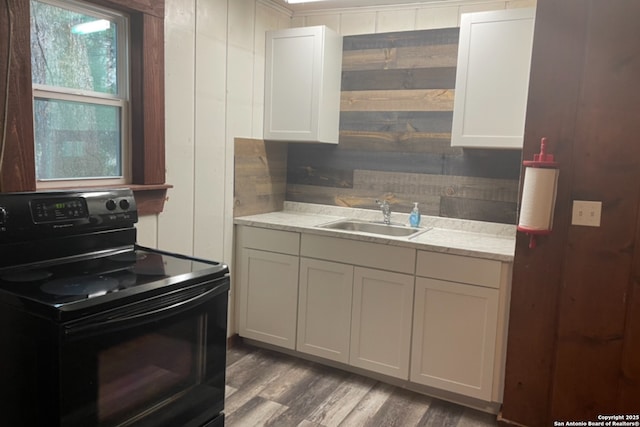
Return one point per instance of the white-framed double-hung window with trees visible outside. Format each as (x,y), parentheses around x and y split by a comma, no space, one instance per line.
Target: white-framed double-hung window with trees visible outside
(80,86)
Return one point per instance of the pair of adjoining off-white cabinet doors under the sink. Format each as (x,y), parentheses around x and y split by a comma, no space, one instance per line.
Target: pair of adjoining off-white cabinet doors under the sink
(354,315)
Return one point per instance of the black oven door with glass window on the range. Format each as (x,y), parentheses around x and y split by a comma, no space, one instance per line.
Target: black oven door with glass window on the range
(158,362)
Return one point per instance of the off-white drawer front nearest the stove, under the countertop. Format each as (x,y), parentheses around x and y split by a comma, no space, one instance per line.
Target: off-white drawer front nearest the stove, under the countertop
(286,242)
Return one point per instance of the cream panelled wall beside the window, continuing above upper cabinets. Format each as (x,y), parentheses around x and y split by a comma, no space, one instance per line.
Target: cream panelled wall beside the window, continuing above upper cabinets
(214,72)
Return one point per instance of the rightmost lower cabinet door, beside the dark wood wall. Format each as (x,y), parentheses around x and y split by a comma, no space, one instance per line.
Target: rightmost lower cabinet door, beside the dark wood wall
(454,337)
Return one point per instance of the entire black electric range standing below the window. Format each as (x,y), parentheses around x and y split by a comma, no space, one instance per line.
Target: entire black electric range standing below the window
(96,330)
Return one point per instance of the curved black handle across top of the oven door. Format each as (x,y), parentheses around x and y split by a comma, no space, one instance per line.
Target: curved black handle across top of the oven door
(144,314)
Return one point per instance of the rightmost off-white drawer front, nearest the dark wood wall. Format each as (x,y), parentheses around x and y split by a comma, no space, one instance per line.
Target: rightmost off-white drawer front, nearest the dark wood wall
(476,271)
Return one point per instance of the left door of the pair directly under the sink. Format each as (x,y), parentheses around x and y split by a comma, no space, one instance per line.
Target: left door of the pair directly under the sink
(324,316)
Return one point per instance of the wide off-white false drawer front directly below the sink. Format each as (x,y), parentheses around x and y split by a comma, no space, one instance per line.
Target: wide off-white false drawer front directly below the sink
(382,257)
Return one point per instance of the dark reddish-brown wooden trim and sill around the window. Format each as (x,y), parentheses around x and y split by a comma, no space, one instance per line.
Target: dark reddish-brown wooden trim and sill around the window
(147,107)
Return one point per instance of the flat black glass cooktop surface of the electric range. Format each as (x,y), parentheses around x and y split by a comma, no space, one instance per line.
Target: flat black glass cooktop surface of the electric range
(89,285)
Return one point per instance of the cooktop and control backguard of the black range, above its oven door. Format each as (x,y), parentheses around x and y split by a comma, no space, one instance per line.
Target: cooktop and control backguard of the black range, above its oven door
(69,254)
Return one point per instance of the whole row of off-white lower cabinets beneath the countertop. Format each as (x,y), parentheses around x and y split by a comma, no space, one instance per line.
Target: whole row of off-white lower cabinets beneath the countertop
(428,318)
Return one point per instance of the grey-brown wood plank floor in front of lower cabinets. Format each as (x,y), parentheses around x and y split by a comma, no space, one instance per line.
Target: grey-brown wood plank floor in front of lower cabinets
(267,388)
